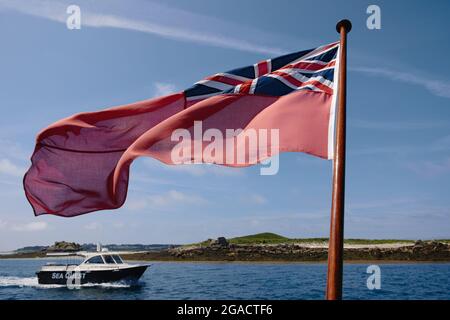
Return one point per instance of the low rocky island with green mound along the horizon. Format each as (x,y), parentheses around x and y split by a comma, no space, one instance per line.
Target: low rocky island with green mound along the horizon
(264,247)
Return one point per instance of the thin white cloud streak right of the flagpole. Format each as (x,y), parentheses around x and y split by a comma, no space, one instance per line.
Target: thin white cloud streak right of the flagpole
(436,87)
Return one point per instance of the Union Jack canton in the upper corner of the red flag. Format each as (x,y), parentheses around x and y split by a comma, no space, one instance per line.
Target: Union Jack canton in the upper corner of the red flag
(311,69)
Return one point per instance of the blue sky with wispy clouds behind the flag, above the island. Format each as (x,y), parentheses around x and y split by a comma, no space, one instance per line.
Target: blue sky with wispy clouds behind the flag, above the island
(398,162)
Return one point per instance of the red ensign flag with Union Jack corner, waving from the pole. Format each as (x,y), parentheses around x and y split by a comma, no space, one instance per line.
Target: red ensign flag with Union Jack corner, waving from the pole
(81,163)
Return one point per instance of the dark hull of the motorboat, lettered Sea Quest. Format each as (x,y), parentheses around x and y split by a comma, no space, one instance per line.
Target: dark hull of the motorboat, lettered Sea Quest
(129,274)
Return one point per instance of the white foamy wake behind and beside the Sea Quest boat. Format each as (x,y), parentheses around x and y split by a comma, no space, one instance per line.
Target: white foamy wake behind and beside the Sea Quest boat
(32,282)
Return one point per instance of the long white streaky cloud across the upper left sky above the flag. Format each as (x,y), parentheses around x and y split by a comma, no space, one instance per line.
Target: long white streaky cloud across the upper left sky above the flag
(153,23)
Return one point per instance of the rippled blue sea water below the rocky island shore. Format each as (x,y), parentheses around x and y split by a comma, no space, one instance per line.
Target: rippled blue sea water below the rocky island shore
(182,280)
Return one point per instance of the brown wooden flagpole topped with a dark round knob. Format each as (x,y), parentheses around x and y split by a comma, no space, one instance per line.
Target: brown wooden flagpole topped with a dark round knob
(336,243)
